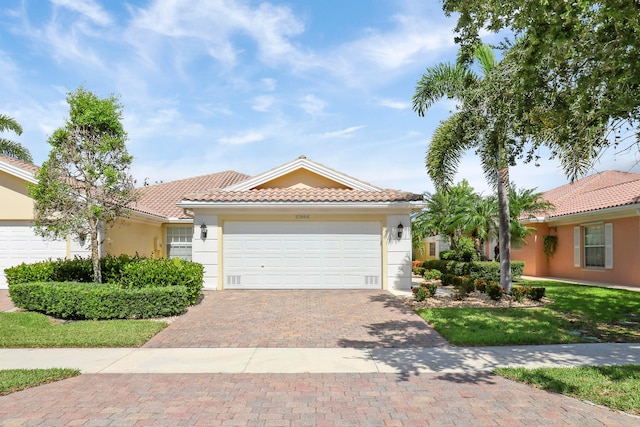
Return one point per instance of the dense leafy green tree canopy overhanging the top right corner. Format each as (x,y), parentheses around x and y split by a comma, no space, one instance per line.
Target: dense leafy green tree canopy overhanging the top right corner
(571,81)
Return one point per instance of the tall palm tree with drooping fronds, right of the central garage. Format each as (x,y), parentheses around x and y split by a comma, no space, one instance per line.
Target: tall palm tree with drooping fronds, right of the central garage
(472,126)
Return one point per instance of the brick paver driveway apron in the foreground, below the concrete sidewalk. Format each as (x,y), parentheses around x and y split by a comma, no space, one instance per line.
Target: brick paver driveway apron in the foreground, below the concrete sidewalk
(297,400)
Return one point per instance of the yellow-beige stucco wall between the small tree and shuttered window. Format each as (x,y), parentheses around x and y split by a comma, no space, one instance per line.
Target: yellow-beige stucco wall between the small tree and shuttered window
(131,237)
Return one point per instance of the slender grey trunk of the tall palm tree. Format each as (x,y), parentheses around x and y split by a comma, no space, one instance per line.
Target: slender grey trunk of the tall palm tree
(504,228)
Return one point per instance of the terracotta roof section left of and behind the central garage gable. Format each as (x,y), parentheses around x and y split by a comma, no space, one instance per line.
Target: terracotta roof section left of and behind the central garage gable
(161,199)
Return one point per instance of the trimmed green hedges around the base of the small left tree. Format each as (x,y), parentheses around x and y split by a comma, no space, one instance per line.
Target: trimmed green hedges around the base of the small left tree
(134,287)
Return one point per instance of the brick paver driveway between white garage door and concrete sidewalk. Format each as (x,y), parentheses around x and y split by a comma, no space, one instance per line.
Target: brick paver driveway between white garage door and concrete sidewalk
(298,318)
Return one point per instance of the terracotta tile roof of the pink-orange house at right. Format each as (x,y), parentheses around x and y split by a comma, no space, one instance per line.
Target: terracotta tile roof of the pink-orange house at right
(598,191)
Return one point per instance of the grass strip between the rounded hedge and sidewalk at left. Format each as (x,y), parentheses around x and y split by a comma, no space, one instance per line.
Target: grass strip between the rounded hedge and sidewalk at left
(34,330)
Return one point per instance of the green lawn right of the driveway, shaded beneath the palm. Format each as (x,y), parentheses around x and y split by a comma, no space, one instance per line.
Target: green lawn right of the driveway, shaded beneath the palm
(578,314)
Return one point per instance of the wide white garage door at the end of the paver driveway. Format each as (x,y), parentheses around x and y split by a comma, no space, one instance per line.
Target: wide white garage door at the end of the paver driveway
(302,255)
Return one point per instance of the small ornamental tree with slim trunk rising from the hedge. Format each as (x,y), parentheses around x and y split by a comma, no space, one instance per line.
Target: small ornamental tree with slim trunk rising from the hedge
(85,184)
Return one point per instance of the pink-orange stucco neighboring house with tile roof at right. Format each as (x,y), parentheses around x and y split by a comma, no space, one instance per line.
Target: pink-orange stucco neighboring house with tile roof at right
(596,224)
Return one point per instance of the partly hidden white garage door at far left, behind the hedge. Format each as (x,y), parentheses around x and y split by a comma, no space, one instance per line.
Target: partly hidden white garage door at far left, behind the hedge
(19,244)
